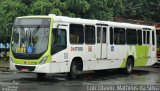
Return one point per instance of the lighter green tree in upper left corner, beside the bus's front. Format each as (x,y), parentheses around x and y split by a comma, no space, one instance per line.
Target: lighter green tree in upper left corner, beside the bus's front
(9,10)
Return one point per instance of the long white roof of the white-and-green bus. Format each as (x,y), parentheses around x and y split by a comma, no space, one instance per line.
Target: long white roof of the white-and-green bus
(90,22)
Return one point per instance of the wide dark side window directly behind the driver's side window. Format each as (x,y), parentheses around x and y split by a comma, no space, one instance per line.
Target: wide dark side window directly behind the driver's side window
(76,34)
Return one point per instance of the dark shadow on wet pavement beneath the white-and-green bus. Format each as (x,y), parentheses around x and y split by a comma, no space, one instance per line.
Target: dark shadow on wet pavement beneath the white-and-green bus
(86,77)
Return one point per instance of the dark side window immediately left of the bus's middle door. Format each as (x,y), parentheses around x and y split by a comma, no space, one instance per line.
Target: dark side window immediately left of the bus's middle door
(89,34)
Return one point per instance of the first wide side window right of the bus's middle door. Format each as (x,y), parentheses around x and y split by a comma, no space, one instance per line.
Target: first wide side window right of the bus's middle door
(119,36)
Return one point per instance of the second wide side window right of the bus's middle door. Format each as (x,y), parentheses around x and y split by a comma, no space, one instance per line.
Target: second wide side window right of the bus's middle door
(131,36)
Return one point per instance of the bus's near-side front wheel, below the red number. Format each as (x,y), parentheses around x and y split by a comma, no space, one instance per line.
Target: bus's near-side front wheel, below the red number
(73,74)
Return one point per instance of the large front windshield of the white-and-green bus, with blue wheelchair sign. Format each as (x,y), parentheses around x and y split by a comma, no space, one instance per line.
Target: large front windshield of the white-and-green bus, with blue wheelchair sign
(30,36)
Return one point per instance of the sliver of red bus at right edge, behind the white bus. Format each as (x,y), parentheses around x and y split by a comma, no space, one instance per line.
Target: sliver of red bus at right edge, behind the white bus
(158,45)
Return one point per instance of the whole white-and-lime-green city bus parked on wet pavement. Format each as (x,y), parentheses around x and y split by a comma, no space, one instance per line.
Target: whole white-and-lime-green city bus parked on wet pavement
(60,44)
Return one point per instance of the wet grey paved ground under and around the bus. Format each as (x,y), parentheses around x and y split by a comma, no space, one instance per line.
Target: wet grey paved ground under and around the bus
(145,76)
